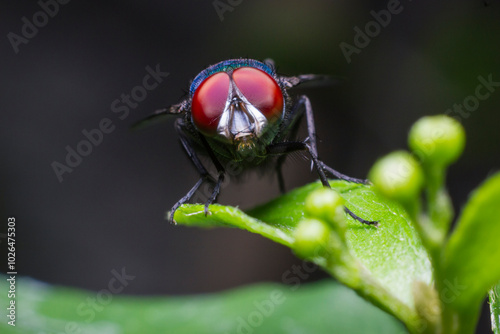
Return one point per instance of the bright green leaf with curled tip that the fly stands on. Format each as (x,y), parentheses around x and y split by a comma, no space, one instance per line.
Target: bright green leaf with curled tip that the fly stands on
(393,252)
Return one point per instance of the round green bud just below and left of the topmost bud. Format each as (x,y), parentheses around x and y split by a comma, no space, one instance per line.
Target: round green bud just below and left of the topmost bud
(397,176)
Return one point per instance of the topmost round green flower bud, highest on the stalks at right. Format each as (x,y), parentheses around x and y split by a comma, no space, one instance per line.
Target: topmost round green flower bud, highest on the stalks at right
(437,140)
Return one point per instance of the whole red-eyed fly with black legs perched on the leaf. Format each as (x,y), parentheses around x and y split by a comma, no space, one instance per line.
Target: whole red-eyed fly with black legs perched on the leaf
(239,111)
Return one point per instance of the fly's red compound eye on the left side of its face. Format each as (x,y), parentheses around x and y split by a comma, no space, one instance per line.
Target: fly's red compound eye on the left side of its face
(209,101)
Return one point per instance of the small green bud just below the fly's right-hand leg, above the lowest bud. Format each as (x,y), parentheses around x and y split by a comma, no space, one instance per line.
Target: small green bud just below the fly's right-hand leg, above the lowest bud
(325,204)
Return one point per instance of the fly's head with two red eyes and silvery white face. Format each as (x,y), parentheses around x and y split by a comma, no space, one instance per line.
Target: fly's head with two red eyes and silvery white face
(238,102)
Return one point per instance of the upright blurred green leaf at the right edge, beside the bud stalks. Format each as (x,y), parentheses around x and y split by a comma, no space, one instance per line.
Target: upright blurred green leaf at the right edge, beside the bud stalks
(471,263)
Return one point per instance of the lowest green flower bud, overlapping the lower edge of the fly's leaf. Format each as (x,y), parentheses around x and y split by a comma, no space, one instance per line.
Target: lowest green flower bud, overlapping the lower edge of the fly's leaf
(311,238)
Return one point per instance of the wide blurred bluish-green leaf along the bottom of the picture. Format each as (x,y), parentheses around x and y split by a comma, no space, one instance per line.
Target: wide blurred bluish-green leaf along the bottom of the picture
(267,308)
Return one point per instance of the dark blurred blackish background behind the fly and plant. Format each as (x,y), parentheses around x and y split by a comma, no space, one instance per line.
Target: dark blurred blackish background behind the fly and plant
(108,213)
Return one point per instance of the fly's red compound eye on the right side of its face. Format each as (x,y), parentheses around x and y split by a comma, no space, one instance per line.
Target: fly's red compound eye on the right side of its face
(261,90)
